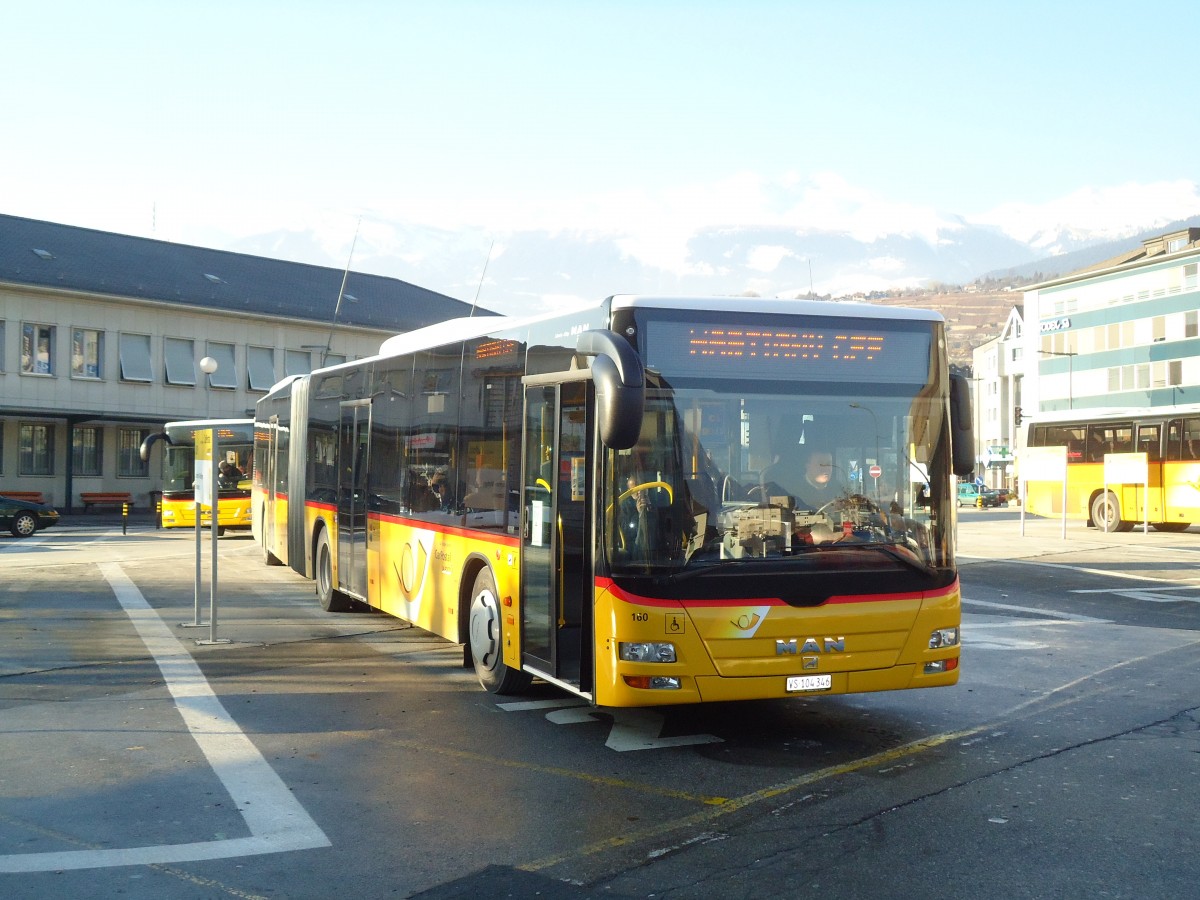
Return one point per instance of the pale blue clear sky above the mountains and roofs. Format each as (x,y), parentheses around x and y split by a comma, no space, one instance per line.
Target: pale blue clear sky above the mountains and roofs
(644,121)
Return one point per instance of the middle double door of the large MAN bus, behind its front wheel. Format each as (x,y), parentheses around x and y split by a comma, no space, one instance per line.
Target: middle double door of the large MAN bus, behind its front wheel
(352,496)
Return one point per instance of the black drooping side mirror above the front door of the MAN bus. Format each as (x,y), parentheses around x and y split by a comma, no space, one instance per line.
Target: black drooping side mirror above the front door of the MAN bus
(621,387)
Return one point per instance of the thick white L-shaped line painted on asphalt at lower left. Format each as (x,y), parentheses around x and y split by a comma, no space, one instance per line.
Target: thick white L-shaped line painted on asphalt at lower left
(274,818)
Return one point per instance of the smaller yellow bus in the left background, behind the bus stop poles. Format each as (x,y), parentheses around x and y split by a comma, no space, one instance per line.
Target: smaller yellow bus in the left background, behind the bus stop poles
(233,471)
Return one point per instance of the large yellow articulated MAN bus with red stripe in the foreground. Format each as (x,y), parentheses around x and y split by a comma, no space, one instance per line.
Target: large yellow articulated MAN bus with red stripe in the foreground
(651,501)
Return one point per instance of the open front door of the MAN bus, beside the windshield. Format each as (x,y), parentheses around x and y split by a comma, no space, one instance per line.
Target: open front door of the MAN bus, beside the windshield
(556,539)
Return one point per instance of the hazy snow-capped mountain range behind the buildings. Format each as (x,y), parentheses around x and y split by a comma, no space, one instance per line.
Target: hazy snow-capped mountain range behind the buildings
(536,271)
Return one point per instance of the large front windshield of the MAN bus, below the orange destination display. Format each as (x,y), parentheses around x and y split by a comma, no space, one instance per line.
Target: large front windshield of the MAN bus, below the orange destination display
(735,473)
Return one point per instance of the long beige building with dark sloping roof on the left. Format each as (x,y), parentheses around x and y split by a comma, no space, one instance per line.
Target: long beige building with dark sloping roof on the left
(103,337)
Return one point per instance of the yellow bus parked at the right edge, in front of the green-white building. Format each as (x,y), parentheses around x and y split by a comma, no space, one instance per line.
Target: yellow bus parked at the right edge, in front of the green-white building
(1171,439)
